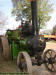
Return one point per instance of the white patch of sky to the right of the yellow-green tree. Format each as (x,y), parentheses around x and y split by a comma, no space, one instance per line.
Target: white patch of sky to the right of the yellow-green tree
(52,21)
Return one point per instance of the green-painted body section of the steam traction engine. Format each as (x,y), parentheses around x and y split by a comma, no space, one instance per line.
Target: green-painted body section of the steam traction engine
(18,44)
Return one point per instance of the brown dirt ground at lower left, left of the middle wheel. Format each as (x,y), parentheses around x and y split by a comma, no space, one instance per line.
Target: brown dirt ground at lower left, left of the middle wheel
(7,66)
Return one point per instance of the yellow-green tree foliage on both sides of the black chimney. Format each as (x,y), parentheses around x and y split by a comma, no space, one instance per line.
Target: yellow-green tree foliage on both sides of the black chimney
(44,9)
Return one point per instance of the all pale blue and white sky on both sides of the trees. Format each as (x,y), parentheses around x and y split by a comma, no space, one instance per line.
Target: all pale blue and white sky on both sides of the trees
(6,7)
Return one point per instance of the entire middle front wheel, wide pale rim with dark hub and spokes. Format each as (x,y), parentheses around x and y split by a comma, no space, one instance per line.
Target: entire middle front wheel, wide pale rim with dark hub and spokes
(24,63)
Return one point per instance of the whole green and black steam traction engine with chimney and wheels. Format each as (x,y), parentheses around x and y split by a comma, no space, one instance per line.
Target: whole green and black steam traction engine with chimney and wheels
(28,42)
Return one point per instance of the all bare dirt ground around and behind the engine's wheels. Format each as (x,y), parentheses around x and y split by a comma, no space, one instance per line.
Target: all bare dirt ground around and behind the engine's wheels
(9,66)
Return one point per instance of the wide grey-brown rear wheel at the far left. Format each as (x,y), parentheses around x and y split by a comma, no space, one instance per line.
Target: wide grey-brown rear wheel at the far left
(5,47)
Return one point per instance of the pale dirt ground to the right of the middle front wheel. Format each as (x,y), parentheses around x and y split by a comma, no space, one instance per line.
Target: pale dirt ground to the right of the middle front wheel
(42,69)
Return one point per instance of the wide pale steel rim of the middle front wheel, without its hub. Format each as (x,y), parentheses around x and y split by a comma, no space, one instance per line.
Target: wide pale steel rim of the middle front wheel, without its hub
(28,62)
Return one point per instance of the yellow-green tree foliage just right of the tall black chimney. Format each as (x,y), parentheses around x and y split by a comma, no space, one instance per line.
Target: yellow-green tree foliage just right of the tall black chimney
(44,9)
